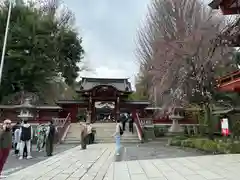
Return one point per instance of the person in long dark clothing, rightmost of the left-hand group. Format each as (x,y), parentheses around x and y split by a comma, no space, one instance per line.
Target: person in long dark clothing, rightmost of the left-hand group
(50,135)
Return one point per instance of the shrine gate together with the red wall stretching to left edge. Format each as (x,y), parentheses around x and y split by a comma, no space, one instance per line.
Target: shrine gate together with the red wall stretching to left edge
(90,91)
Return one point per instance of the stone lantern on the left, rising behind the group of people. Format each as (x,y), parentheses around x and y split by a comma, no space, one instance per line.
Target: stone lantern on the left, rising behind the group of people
(25,110)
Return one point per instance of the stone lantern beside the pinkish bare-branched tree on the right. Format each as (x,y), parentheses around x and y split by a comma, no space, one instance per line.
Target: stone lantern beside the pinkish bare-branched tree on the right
(176,117)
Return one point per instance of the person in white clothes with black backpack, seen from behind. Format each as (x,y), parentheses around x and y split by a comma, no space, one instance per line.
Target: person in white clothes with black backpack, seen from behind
(26,135)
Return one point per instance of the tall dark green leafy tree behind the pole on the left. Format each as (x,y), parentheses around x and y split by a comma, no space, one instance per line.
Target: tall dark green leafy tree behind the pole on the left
(42,45)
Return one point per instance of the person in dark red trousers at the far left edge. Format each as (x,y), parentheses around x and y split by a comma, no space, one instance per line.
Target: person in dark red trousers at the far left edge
(5,143)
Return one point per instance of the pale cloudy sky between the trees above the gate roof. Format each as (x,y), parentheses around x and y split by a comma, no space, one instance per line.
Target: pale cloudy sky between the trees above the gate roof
(109,30)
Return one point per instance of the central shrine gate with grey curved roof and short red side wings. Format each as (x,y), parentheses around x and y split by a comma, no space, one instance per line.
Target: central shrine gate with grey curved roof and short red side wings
(92,90)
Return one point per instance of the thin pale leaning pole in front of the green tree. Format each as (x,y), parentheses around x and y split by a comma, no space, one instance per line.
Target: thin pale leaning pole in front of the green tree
(5,40)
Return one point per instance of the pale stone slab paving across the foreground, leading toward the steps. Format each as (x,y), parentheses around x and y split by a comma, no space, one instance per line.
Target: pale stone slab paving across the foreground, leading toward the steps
(97,163)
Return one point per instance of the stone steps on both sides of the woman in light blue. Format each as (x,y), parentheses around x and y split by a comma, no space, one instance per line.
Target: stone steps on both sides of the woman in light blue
(104,132)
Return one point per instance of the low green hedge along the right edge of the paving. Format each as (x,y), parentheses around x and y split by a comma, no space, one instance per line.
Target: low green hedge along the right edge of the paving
(206,145)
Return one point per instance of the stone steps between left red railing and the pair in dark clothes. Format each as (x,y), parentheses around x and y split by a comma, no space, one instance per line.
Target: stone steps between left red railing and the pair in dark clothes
(73,134)
